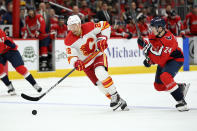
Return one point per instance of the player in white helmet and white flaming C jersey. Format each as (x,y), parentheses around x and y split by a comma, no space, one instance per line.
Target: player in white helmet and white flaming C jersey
(82,42)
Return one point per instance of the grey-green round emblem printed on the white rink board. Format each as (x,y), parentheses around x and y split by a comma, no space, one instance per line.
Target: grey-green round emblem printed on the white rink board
(29,54)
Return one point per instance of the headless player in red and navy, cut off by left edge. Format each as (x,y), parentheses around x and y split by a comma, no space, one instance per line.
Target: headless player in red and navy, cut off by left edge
(9,52)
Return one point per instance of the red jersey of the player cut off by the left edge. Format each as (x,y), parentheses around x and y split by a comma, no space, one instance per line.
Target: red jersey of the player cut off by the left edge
(6,43)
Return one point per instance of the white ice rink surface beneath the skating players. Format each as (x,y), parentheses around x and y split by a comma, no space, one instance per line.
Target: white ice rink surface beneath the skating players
(77,105)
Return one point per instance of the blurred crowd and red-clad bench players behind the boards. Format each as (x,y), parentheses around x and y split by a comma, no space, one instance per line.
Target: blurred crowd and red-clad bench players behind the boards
(120,14)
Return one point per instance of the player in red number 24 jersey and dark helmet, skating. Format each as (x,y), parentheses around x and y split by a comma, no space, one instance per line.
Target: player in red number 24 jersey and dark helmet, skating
(163,50)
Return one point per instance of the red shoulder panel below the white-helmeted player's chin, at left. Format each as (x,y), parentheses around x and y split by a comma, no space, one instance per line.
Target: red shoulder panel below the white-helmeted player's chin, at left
(70,39)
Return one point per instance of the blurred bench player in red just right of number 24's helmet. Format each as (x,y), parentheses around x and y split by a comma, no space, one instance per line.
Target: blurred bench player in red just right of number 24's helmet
(174,24)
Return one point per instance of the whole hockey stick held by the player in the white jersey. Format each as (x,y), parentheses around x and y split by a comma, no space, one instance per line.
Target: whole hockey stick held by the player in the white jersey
(30,98)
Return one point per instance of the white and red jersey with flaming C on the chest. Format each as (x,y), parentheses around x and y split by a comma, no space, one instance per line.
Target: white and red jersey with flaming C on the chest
(84,46)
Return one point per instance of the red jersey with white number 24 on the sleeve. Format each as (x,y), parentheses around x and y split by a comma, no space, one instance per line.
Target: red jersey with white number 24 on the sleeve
(164,49)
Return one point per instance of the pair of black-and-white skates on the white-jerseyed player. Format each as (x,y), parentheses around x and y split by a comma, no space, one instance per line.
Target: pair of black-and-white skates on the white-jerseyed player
(117,101)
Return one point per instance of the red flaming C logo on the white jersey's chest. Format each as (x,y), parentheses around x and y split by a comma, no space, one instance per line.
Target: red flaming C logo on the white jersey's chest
(88,47)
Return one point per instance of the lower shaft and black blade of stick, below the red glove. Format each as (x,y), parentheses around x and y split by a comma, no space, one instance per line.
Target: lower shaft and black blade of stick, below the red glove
(39,97)
